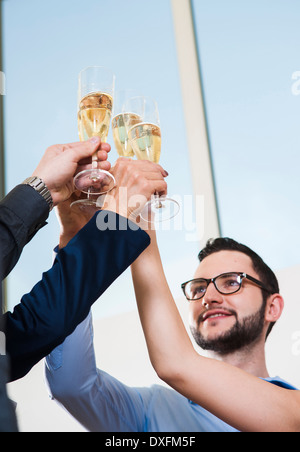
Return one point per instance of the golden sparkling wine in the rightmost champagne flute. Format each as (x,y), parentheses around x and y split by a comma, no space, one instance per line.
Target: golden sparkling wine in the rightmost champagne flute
(146,141)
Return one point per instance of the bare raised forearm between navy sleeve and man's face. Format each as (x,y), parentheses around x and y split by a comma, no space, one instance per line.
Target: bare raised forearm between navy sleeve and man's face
(163,327)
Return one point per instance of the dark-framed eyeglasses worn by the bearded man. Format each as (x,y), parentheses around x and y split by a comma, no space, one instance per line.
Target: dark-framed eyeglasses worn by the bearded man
(226,283)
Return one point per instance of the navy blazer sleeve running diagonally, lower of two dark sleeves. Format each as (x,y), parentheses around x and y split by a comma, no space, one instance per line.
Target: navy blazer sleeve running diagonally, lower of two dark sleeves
(81,272)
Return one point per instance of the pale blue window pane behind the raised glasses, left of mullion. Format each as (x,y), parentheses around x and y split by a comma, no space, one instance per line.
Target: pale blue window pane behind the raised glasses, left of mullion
(46,44)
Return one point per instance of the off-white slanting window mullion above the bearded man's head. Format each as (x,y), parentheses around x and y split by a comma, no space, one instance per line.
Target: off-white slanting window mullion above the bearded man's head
(195,115)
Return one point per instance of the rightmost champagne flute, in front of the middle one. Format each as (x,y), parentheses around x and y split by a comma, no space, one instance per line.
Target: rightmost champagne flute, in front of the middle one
(145,139)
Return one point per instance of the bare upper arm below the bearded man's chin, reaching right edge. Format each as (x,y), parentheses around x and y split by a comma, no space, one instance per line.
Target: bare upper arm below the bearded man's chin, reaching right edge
(243,401)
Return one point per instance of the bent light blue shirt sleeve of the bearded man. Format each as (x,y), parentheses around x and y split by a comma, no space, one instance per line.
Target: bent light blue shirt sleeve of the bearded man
(97,400)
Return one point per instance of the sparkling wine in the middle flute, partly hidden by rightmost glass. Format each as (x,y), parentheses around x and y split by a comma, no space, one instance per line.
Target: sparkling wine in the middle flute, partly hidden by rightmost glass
(120,124)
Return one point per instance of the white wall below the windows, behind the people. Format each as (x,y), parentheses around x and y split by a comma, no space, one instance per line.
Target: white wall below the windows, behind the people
(121,351)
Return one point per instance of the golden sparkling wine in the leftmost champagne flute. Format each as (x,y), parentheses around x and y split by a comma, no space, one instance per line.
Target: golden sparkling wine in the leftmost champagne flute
(94,116)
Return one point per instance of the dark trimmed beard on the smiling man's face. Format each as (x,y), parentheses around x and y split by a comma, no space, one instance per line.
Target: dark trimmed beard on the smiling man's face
(241,335)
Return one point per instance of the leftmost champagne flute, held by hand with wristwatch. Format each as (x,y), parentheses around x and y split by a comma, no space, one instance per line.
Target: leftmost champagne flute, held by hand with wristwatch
(95,101)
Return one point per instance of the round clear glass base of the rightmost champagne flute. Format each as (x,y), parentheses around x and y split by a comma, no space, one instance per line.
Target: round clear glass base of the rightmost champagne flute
(160,208)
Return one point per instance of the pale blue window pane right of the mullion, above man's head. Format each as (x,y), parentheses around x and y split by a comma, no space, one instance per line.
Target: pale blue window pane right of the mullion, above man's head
(250,67)
